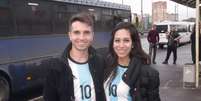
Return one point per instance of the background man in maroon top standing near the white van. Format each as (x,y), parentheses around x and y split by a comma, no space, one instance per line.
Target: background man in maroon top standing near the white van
(153,39)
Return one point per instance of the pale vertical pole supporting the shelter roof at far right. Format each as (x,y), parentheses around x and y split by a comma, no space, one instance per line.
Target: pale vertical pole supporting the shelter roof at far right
(197,42)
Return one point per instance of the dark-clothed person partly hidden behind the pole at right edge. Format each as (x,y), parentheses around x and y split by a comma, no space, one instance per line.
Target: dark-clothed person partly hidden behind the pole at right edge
(193,45)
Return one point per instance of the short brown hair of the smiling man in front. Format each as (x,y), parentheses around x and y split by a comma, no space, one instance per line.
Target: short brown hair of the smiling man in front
(84,17)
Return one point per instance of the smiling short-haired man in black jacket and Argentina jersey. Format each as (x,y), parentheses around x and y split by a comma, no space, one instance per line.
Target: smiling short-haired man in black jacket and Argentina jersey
(77,75)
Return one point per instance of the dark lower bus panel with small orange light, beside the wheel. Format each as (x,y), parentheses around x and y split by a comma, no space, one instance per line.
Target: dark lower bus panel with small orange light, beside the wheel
(27,76)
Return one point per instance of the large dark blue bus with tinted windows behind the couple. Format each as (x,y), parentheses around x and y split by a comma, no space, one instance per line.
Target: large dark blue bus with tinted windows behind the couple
(37,34)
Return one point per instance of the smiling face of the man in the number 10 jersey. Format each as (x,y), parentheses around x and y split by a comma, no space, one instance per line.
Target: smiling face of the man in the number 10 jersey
(81,36)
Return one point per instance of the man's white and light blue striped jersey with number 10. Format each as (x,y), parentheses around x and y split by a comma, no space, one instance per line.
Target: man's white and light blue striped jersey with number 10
(83,82)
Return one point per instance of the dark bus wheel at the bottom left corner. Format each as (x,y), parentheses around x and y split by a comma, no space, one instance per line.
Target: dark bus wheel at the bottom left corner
(4,89)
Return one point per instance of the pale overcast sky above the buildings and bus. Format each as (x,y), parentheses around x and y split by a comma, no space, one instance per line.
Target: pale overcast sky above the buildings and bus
(183,11)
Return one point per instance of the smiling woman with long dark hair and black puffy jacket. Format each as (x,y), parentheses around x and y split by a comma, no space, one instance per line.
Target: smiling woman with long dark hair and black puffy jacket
(128,76)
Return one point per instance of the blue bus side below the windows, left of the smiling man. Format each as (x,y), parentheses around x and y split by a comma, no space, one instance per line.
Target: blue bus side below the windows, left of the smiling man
(25,56)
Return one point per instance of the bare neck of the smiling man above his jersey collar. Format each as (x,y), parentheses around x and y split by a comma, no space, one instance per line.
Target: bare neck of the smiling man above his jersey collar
(79,56)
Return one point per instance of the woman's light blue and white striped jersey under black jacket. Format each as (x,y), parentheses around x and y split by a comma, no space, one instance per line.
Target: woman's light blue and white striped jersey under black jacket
(117,89)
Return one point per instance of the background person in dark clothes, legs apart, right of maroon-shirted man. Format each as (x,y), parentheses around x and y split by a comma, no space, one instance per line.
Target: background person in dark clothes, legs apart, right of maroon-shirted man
(173,39)
